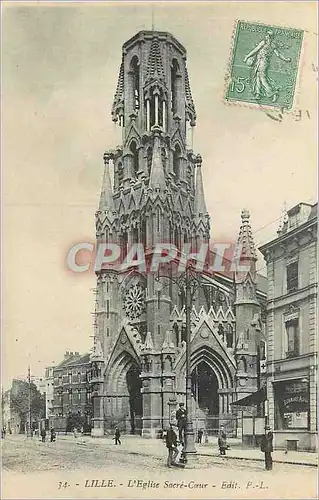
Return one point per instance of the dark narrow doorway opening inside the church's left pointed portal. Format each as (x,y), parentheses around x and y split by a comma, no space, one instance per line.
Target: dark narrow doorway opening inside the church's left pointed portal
(134,386)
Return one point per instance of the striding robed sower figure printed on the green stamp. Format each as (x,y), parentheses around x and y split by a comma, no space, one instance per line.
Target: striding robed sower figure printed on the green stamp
(259,59)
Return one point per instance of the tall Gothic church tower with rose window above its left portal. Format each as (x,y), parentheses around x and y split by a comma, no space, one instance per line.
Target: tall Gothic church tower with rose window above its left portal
(156,197)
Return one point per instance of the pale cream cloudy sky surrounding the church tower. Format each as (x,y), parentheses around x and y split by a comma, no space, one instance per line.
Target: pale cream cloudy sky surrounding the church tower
(60,65)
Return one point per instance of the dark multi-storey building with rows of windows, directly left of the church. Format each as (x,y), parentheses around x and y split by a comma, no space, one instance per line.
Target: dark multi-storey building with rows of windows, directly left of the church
(71,393)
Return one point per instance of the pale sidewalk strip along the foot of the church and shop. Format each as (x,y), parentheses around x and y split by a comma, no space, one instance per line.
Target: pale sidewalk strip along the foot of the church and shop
(156,447)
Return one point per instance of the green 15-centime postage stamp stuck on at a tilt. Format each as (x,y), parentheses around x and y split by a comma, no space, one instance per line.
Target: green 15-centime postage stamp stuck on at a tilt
(264,65)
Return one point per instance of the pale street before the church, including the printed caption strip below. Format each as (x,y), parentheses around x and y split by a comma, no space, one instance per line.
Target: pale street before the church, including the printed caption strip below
(68,467)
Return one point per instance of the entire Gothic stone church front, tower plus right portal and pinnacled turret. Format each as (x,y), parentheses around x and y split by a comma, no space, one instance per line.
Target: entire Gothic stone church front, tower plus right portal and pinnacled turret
(153,193)
